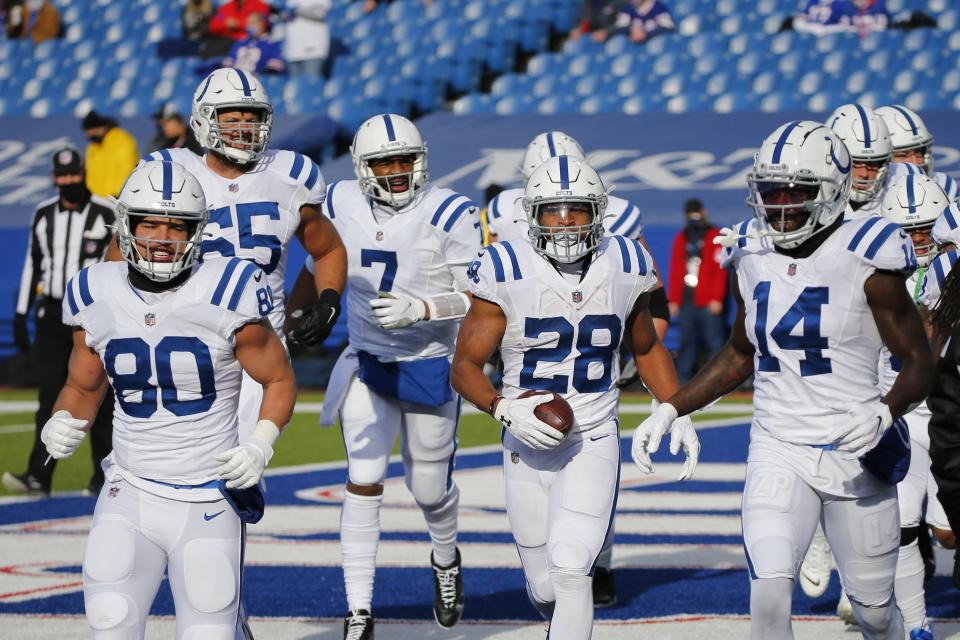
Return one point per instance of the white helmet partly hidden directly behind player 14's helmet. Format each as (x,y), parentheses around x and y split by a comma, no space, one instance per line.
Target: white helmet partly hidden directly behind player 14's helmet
(868,142)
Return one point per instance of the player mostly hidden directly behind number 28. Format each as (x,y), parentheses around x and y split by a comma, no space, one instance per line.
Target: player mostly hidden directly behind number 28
(506,220)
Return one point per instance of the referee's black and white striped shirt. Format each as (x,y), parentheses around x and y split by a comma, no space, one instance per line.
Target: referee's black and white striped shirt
(62,242)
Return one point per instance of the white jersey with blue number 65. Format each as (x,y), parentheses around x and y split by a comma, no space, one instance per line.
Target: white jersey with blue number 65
(255,215)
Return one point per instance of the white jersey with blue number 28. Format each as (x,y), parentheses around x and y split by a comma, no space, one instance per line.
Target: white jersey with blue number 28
(564,336)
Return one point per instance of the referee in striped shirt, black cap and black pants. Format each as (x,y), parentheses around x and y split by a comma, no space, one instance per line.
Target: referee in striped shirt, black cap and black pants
(69,231)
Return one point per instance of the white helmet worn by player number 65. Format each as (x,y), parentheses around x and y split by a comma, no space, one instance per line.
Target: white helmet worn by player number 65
(232,90)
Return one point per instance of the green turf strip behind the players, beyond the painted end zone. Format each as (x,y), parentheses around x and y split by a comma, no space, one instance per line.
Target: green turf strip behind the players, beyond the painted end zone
(303,441)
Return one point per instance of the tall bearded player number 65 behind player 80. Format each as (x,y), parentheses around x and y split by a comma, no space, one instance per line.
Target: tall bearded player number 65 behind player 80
(259,199)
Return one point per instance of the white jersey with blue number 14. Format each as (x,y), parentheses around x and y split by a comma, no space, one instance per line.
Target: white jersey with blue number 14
(817,346)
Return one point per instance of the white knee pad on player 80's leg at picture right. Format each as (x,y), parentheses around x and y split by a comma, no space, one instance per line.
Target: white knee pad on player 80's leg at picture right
(211,574)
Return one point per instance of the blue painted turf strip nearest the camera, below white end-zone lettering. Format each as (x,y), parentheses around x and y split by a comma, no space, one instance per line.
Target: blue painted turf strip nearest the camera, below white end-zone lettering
(496,594)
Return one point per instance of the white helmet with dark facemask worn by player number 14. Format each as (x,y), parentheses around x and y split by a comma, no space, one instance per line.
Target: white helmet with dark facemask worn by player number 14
(801,171)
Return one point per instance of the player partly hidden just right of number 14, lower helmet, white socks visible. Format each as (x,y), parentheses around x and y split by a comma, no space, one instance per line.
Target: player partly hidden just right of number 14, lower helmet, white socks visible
(915,202)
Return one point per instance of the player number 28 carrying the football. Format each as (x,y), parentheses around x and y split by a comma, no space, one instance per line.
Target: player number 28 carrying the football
(558,307)
